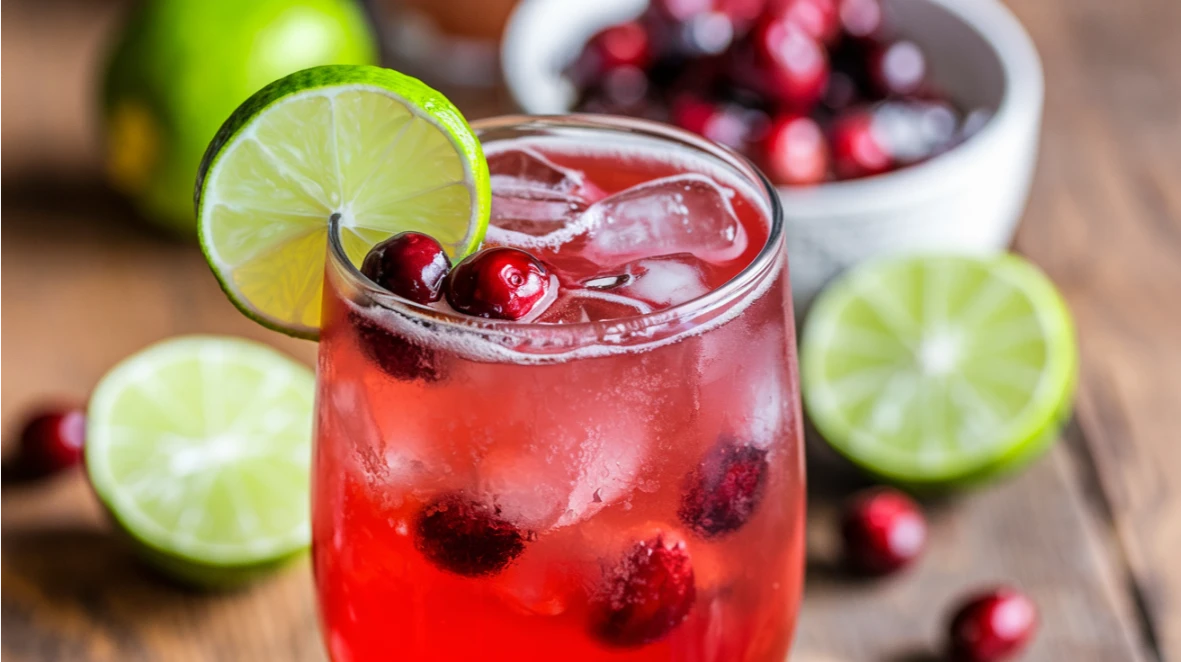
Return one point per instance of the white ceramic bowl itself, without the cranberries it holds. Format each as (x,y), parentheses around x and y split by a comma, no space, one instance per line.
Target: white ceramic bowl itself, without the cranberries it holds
(968,200)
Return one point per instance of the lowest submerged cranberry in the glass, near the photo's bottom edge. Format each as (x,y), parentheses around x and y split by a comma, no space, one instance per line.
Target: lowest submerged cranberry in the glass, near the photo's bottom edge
(647,595)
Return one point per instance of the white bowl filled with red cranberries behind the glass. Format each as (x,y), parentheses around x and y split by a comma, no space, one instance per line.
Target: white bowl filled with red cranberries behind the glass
(886,126)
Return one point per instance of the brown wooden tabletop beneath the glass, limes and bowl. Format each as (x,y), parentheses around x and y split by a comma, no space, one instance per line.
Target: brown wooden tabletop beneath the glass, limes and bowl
(1093,530)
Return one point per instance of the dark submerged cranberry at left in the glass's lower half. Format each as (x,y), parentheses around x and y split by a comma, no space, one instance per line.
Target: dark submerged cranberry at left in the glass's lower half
(467,538)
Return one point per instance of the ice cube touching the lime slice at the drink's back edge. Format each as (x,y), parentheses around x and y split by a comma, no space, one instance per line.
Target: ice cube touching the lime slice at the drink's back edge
(536,202)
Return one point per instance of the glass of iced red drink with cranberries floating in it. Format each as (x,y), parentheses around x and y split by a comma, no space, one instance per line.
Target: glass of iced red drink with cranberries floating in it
(582,443)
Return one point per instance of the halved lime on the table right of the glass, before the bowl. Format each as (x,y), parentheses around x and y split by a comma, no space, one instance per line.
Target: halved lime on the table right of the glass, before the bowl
(939,371)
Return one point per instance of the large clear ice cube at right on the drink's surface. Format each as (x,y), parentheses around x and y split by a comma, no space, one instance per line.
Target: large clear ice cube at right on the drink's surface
(682,214)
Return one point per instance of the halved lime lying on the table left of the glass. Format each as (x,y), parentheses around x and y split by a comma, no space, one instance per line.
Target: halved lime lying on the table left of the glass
(200,448)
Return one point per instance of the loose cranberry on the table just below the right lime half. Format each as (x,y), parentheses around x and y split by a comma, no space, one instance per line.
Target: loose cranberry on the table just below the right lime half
(884,532)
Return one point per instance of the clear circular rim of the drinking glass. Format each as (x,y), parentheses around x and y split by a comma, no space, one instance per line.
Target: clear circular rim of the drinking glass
(729,292)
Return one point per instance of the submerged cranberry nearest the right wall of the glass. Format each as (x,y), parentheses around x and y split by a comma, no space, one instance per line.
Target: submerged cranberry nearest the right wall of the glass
(723,491)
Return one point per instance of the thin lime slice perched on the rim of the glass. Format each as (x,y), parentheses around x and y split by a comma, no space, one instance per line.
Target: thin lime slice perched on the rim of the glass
(379,149)
